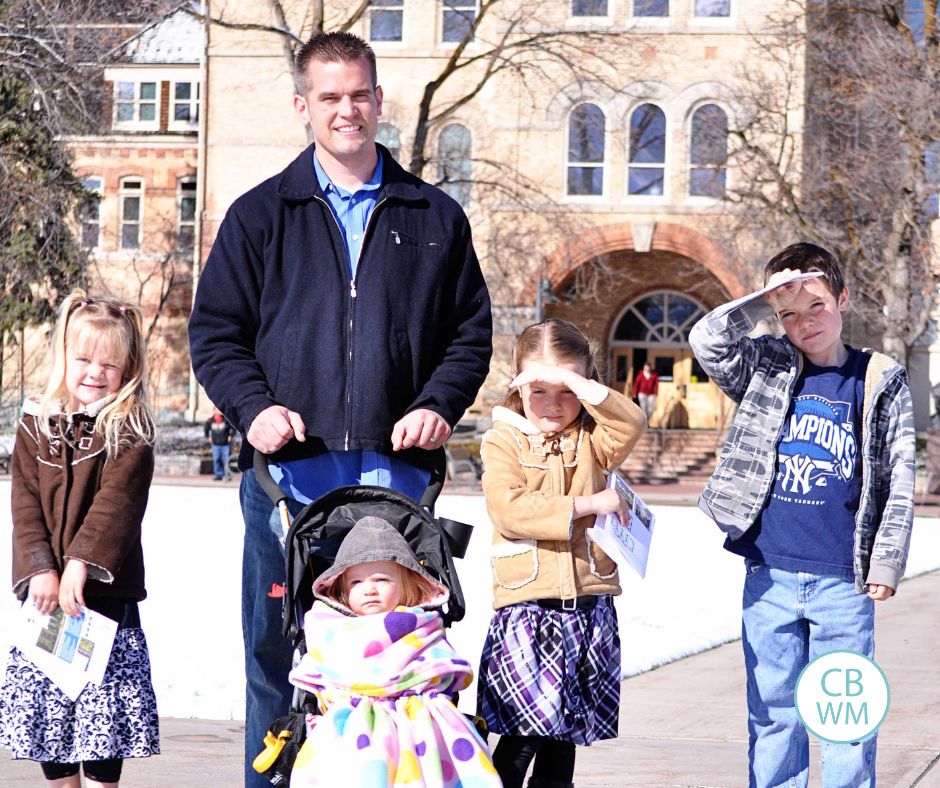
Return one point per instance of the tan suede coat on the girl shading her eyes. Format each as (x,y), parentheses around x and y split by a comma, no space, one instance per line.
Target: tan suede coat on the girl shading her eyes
(530,481)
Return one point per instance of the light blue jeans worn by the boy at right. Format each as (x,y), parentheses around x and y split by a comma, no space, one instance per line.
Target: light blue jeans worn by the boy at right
(789,619)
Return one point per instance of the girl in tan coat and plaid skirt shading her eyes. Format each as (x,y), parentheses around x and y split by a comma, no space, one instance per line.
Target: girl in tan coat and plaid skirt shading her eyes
(550,670)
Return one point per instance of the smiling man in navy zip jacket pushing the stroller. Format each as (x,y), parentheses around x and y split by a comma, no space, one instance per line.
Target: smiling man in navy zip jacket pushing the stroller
(343,324)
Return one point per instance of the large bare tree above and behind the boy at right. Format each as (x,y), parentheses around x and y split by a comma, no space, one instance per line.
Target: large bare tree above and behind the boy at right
(855,178)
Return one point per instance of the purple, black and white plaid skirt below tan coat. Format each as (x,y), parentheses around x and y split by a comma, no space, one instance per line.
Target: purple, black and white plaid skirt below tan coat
(552,673)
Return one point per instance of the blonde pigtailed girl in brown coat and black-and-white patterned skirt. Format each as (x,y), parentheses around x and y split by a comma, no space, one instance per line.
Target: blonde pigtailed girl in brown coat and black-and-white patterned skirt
(82,465)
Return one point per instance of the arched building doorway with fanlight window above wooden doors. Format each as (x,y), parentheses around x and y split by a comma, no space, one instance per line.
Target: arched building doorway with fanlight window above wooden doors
(655,328)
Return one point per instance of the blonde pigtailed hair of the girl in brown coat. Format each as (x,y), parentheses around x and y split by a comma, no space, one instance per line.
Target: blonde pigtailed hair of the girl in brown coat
(126,419)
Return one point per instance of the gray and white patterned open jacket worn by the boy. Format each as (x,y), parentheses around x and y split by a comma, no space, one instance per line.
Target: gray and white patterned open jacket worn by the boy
(759,375)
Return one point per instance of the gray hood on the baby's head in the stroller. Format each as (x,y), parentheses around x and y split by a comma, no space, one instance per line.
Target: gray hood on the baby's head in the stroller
(374,539)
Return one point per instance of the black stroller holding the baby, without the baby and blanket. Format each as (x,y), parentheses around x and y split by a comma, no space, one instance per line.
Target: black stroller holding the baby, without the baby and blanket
(311,541)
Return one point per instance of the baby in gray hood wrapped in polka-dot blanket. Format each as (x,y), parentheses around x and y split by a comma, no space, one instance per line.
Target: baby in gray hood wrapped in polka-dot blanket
(382,670)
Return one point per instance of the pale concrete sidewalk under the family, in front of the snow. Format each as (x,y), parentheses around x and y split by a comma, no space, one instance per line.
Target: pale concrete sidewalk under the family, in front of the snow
(680,725)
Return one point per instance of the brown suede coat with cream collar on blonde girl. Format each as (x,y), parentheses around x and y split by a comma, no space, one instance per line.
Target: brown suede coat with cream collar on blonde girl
(70,500)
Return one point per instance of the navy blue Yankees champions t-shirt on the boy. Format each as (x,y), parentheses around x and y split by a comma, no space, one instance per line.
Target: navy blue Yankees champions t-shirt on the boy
(808,523)
